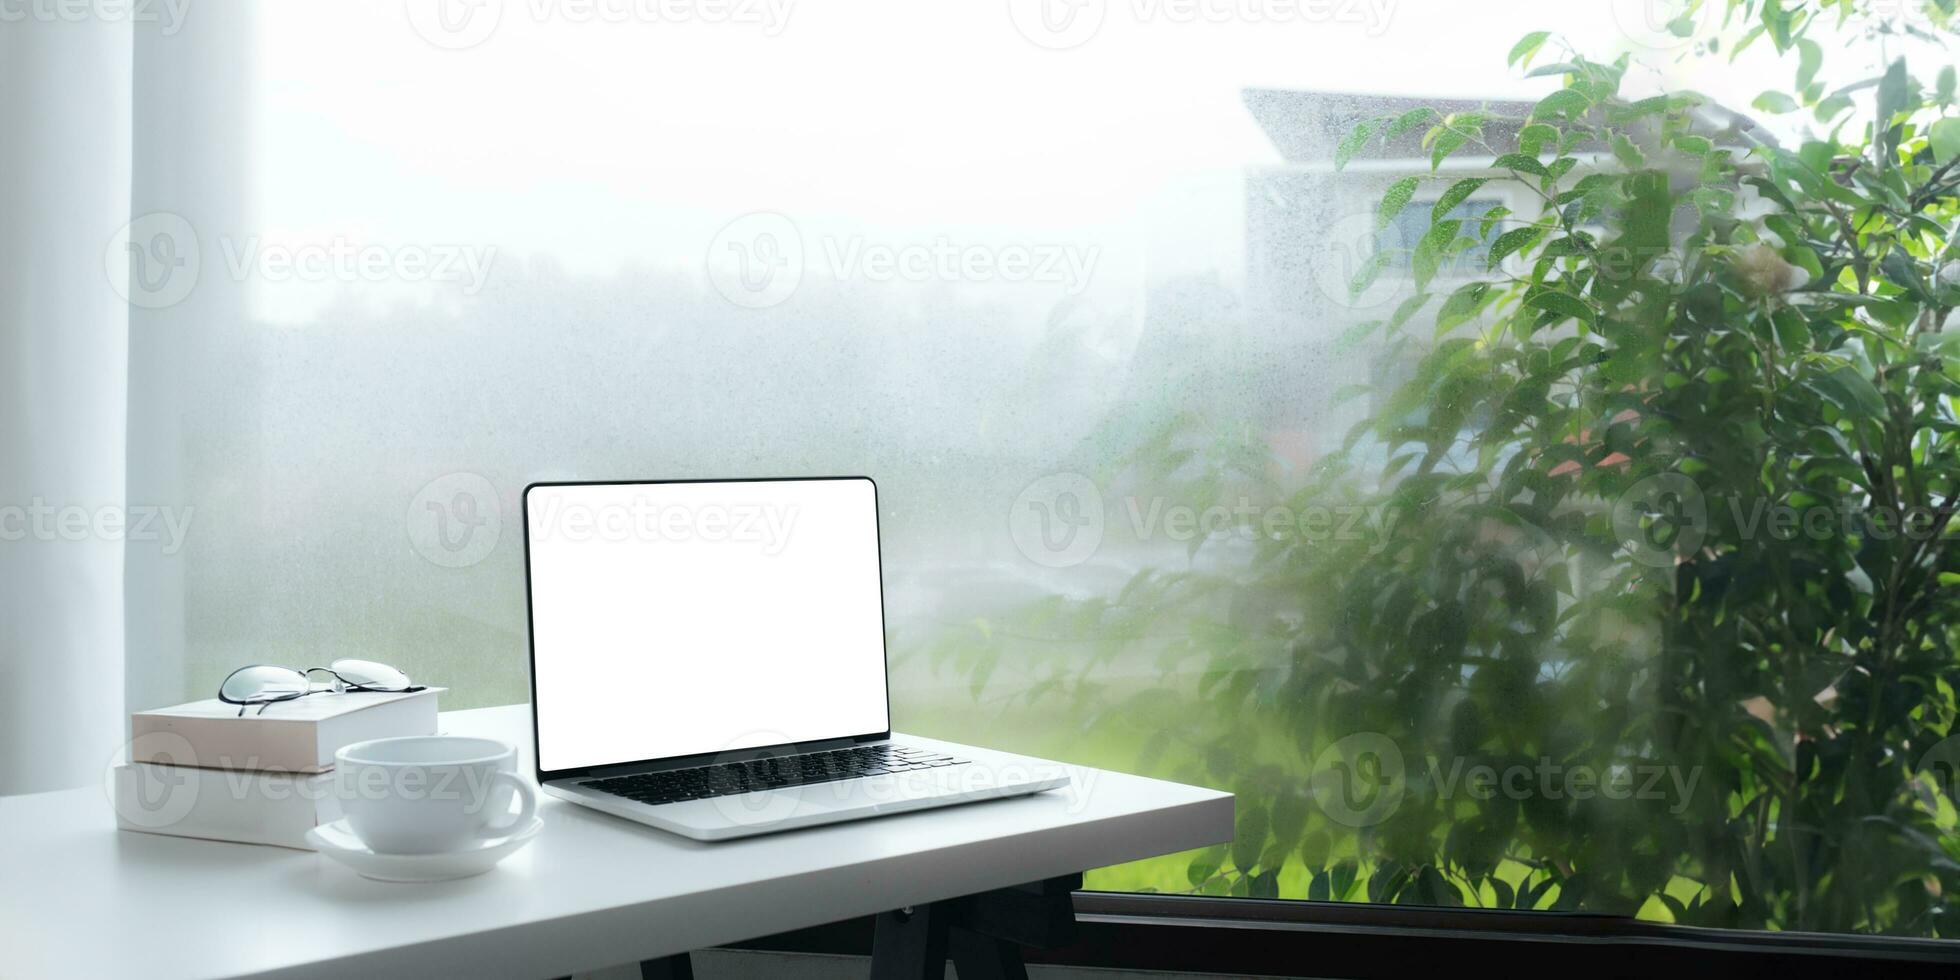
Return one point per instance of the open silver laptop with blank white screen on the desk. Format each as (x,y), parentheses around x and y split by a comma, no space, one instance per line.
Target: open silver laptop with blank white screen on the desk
(709,660)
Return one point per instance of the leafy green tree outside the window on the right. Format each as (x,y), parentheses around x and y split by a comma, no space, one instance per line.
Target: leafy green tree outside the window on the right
(1581,554)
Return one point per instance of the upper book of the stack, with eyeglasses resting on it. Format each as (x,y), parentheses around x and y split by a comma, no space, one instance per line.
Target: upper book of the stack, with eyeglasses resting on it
(299,736)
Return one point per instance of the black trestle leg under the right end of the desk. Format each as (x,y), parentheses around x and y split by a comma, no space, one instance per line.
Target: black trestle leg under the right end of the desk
(983,934)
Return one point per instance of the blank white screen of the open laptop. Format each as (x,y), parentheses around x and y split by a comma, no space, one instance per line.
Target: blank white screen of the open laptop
(703,618)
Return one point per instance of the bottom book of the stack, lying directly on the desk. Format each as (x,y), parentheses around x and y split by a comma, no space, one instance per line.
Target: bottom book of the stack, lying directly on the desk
(258,808)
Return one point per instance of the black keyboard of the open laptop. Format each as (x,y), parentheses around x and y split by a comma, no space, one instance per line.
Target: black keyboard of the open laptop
(773,773)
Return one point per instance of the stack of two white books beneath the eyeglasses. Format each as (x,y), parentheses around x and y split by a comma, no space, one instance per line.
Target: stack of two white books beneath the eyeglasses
(205,771)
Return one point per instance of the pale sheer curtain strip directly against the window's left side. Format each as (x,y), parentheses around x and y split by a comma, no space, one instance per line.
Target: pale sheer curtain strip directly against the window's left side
(195,81)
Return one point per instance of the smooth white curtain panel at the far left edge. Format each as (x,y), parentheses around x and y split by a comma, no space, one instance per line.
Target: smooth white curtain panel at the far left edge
(64,369)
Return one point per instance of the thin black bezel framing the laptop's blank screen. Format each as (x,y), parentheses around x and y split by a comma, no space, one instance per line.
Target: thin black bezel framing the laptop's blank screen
(683,761)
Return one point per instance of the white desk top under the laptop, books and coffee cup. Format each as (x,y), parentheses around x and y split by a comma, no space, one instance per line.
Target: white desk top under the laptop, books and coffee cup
(79,899)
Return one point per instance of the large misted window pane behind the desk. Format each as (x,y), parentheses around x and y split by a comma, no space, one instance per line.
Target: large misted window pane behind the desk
(1065,297)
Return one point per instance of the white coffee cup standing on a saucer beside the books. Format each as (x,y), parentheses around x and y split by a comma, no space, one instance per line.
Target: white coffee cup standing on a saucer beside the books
(430,795)
